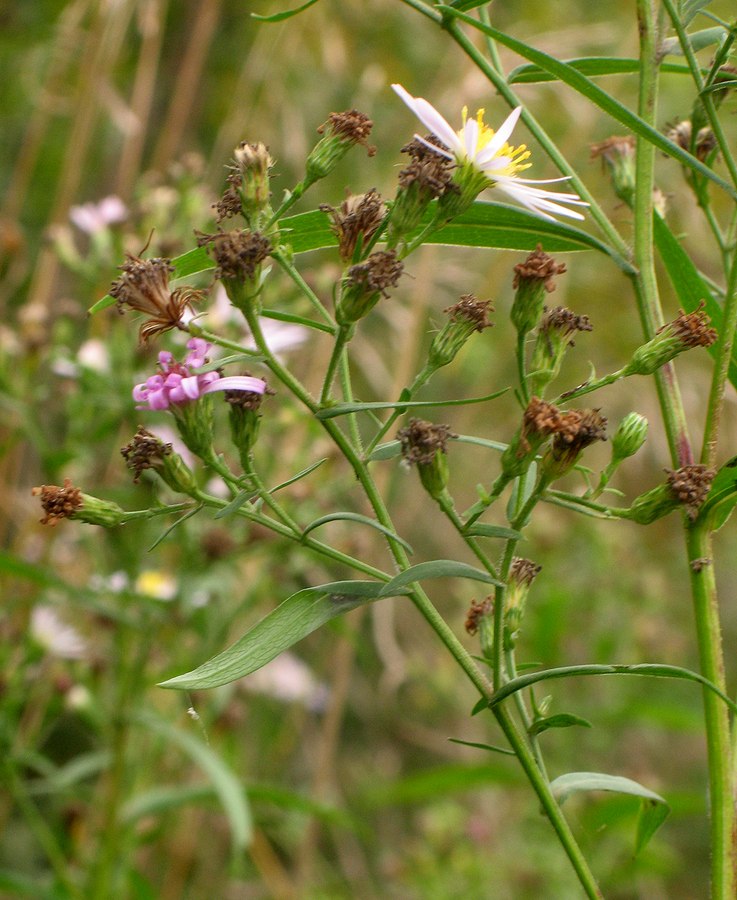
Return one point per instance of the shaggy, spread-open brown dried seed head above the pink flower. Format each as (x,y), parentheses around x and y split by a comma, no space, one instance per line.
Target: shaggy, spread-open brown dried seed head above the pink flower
(144,287)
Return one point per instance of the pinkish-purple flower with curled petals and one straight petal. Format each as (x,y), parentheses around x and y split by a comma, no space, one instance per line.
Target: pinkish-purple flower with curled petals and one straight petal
(176,384)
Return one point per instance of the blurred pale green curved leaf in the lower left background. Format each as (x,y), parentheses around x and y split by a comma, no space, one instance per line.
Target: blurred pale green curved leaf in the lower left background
(227,786)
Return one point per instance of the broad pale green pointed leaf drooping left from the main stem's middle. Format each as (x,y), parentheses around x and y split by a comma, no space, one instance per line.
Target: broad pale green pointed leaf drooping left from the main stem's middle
(298,616)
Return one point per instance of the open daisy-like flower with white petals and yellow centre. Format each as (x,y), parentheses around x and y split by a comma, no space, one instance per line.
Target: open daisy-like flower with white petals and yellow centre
(486,152)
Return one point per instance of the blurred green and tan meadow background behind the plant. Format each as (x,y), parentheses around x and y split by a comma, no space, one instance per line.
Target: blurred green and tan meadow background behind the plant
(329,774)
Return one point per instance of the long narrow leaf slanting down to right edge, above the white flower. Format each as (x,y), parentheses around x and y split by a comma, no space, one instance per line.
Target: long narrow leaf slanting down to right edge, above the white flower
(595,94)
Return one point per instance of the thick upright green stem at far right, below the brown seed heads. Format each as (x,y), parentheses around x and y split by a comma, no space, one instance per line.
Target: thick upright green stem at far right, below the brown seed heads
(718,742)
